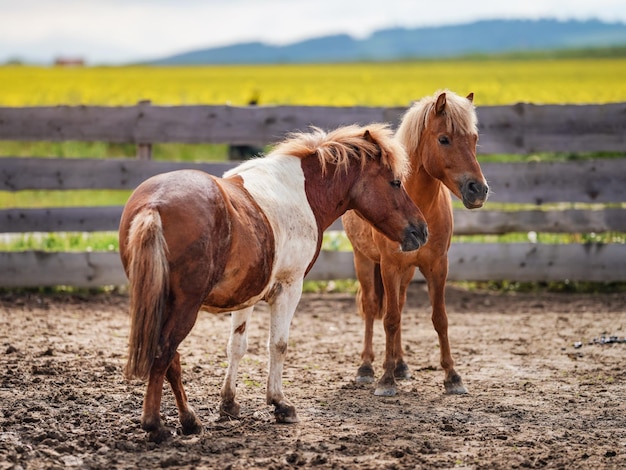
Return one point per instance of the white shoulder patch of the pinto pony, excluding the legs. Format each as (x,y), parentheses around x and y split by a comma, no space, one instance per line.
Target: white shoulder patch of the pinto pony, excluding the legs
(276,183)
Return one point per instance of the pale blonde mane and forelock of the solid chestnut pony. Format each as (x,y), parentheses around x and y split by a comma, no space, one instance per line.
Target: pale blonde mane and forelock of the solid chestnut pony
(460,117)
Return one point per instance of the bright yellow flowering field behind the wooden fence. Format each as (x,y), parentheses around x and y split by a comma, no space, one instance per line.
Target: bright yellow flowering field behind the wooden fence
(387,84)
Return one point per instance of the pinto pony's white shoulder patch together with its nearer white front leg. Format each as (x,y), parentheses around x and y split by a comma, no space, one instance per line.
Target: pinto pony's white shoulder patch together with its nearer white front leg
(276,182)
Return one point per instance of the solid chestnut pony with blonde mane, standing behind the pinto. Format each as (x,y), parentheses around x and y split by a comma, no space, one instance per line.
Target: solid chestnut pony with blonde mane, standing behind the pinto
(440,135)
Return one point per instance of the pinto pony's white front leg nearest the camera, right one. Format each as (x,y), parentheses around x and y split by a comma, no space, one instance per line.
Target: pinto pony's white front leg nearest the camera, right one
(283,306)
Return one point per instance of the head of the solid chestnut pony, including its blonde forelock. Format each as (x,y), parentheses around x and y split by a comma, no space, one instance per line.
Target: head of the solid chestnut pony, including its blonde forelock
(440,134)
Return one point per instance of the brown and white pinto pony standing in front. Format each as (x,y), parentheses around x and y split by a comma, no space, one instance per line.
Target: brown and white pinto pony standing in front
(191,241)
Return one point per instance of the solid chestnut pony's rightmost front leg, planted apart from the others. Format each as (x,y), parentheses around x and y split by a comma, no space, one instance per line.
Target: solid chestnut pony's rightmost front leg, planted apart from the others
(436,279)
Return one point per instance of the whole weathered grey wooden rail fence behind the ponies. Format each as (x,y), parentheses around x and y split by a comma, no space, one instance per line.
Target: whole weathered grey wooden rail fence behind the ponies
(549,191)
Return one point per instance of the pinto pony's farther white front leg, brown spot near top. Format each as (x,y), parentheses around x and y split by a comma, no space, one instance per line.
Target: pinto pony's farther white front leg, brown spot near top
(237,347)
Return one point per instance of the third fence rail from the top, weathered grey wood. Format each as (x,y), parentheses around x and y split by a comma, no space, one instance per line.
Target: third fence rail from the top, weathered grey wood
(484,221)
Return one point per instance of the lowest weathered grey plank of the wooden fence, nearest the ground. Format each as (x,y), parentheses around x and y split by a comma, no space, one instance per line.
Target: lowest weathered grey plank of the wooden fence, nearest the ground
(468,262)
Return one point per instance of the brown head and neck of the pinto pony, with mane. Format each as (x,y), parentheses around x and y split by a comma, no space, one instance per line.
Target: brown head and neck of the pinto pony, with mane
(363,168)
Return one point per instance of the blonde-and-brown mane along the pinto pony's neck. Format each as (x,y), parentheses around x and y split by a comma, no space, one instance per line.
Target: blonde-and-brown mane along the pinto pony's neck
(341,145)
